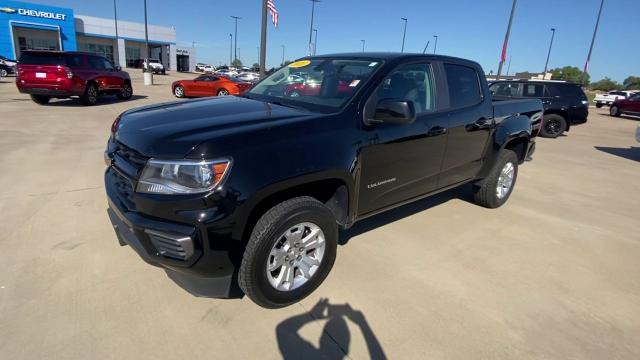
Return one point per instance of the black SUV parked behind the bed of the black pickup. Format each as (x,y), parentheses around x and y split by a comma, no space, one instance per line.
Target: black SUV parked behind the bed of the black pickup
(564,103)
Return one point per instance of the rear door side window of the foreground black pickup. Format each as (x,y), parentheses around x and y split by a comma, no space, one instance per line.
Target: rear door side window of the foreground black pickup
(464,86)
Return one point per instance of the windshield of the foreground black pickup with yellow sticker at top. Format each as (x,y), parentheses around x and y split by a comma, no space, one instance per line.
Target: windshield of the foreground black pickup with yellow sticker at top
(320,84)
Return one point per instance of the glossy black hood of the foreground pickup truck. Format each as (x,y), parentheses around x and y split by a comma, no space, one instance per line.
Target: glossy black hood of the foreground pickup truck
(174,129)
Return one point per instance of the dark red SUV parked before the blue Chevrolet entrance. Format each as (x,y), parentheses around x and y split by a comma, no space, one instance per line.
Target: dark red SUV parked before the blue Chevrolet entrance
(54,74)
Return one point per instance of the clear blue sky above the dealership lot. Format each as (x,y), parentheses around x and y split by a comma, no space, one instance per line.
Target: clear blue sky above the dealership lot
(466,28)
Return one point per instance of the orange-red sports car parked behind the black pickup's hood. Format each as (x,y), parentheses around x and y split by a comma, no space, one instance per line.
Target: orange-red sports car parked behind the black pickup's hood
(209,85)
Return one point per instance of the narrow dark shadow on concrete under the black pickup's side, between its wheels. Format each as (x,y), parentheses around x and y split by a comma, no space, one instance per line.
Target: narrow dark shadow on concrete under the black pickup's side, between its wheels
(462,192)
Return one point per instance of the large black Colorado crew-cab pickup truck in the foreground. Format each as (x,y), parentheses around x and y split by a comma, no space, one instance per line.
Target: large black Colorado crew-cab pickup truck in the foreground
(252,190)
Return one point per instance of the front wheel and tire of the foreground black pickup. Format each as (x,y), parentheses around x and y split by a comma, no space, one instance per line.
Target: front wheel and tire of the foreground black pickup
(290,252)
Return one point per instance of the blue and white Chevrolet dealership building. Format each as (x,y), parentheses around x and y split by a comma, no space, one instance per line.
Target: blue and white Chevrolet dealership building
(28,26)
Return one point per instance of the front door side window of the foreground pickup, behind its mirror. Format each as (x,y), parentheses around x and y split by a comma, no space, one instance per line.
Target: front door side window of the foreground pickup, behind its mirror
(411,82)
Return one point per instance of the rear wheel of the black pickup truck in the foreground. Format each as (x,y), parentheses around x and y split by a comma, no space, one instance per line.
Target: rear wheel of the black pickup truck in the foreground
(494,190)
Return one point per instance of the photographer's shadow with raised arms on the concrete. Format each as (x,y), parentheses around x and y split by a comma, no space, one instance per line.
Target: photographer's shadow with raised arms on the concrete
(335,339)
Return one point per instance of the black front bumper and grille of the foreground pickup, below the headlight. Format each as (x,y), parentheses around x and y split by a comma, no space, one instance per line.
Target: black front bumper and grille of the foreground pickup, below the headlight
(202,264)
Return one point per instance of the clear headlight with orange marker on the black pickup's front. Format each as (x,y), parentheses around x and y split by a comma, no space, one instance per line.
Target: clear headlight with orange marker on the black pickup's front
(182,176)
